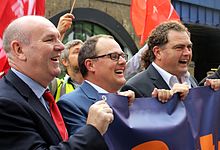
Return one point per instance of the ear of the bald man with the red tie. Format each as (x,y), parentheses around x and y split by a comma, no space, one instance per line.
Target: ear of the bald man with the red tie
(18,50)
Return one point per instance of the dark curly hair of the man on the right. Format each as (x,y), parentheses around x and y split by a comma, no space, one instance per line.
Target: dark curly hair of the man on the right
(159,37)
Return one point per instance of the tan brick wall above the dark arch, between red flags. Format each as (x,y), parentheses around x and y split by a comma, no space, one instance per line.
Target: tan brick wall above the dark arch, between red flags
(118,9)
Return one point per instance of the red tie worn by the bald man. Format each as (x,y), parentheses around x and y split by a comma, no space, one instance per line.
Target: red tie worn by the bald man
(56,115)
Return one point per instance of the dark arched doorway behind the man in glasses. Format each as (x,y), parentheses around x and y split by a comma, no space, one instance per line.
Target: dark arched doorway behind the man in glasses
(90,22)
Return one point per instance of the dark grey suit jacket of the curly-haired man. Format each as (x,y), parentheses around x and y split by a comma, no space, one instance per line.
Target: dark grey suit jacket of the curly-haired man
(144,82)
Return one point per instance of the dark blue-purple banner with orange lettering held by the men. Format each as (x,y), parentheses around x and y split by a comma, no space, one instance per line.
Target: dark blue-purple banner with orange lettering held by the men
(192,124)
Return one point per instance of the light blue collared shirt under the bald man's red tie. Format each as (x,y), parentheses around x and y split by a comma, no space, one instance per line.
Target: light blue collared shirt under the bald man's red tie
(34,86)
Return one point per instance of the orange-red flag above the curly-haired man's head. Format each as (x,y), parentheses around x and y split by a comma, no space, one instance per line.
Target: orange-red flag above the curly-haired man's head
(156,11)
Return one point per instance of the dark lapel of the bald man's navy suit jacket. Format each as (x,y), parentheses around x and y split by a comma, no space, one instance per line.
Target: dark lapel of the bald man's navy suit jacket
(32,99)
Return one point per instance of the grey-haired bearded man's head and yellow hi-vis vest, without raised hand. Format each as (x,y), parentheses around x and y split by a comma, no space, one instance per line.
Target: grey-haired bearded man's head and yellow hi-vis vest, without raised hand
(68,65)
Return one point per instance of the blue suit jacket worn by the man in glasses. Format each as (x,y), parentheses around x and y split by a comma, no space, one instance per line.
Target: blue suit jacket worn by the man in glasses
(74,106)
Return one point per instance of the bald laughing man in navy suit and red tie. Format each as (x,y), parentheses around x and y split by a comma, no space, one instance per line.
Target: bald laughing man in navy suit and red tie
(29,117)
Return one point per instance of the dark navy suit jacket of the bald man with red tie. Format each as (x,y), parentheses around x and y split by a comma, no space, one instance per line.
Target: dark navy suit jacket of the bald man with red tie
(25,123)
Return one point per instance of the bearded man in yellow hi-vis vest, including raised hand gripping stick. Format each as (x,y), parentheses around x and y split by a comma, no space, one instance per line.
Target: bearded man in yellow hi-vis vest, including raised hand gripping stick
(68,61)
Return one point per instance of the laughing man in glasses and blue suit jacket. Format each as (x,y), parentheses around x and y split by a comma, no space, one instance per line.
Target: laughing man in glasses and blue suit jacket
(102,64)
